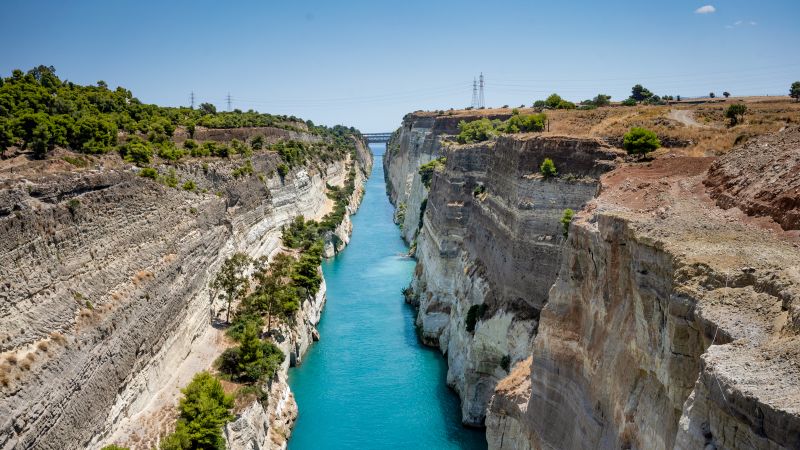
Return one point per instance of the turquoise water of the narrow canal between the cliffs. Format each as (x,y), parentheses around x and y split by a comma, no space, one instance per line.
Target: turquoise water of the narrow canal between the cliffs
(369,383)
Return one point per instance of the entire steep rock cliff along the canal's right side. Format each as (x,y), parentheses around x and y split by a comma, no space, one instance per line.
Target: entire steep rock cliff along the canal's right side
(662,321)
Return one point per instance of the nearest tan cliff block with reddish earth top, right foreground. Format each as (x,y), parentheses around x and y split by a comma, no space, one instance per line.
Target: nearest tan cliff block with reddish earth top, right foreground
(671,324)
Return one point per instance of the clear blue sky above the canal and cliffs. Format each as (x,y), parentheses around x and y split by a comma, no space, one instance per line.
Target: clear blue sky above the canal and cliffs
(367,63)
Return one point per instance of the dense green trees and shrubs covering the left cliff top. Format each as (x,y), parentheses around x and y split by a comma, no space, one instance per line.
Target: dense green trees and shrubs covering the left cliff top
(39,111)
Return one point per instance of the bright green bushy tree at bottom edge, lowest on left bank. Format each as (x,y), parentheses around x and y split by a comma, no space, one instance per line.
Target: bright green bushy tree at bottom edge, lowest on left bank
(204,410)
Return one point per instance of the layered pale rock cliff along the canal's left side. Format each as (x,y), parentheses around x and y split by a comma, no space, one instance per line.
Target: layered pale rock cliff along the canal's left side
(105,307)
